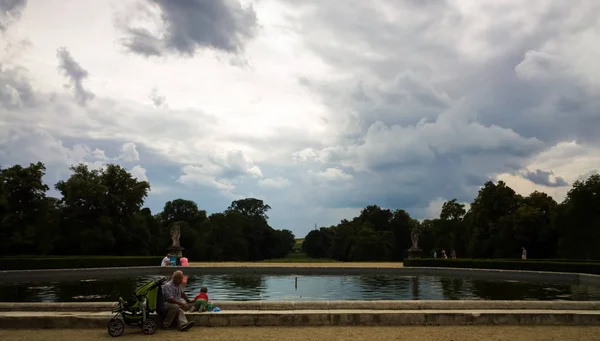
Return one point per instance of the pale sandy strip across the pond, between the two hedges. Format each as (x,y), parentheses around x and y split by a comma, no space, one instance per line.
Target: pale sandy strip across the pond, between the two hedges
(292,265)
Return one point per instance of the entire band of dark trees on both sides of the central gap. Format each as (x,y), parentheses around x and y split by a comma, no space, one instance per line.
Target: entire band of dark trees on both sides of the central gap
(100,212)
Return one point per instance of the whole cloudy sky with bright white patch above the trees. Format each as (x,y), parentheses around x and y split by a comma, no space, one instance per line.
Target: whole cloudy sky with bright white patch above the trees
(319,108)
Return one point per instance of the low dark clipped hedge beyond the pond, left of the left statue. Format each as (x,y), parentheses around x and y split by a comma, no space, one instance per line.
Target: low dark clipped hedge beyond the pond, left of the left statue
(71,262)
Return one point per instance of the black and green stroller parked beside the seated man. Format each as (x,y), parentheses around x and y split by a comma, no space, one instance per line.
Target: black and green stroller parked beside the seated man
(146,300)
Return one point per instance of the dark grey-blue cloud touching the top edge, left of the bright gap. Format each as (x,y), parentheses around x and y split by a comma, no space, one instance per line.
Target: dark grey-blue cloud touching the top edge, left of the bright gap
(194,24)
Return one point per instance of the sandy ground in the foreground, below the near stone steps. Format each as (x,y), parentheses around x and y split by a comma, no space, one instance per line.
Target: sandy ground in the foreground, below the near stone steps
(430,333)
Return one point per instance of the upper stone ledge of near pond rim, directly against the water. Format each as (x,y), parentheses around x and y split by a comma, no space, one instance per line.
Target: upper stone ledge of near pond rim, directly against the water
(327,305)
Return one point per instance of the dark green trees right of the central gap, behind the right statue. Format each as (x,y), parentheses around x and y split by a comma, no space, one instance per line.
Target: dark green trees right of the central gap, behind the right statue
(498,223)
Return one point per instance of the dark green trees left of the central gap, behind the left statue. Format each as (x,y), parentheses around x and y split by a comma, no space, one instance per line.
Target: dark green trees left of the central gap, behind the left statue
(101,212)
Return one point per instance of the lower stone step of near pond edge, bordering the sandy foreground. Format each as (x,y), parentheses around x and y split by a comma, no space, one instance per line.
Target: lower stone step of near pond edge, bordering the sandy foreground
(320,318)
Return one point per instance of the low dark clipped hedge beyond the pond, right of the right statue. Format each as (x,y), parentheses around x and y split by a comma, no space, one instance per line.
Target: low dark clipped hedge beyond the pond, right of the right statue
(504,264)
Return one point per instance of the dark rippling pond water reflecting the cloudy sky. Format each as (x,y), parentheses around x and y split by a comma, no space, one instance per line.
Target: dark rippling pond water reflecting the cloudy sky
(248,287)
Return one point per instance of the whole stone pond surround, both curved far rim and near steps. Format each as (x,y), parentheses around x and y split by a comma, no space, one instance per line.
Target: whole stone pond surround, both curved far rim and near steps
(315,313)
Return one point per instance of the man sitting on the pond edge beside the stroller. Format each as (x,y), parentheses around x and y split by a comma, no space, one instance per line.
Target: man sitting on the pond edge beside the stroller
(176,303)
